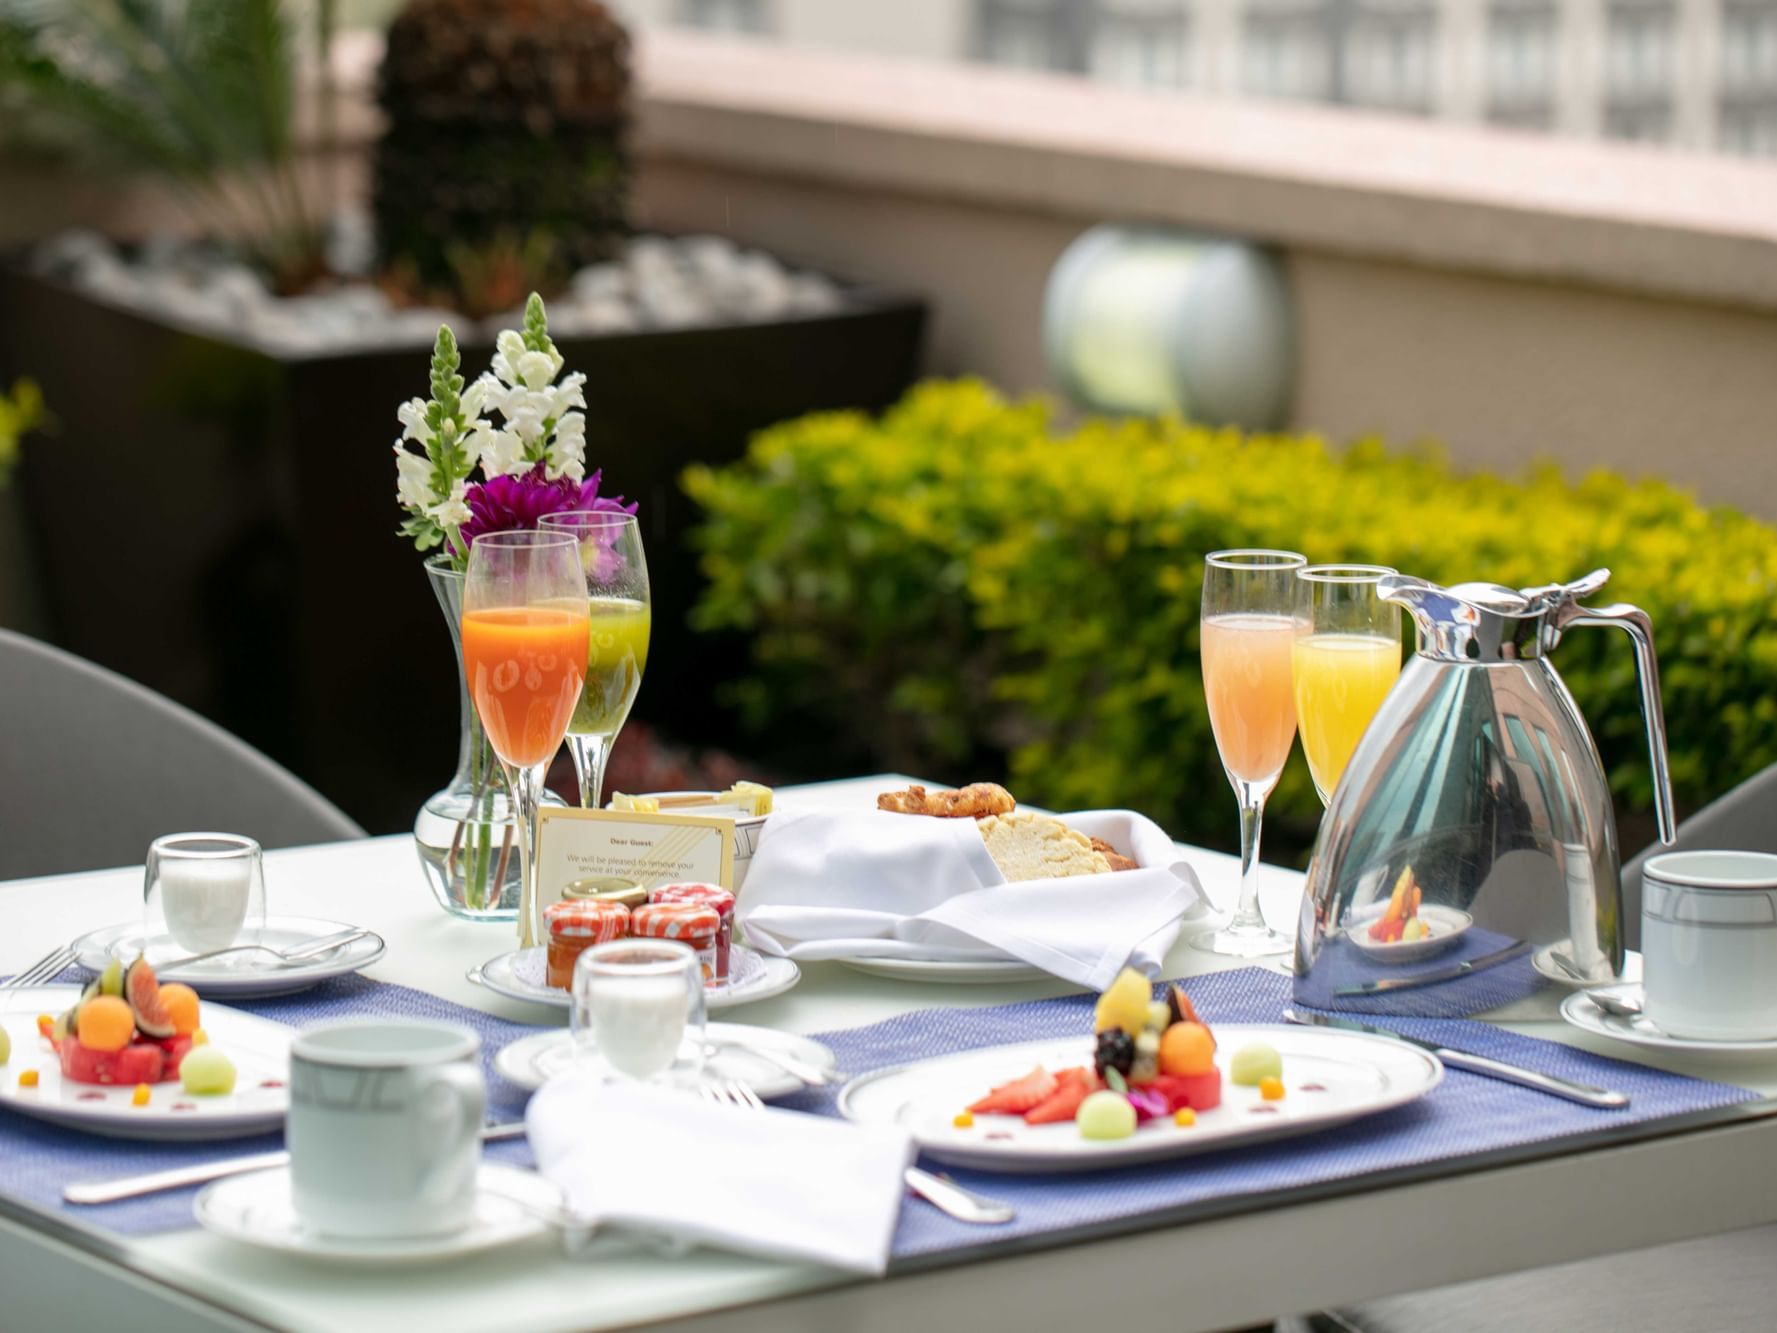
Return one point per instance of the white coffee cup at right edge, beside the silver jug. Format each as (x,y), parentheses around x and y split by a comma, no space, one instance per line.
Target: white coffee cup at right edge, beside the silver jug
(1710,945)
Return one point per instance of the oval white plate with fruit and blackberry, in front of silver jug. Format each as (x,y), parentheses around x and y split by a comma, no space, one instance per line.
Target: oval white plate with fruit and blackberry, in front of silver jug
(1113,1099)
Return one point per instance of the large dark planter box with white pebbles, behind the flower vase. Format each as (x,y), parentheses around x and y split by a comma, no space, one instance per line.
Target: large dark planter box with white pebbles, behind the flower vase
(218,522)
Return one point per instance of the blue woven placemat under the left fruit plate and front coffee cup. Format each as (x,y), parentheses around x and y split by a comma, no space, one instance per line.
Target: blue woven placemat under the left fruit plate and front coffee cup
(38,1160)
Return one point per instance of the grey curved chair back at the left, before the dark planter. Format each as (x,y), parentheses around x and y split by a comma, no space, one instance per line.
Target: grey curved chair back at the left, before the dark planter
(95,767)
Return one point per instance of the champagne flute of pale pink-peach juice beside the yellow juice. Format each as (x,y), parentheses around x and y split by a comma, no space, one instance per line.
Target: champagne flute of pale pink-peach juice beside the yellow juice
(1248,634)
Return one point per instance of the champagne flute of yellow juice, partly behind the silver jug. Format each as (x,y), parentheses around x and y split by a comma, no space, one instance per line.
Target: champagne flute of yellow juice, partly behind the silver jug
(1344,666)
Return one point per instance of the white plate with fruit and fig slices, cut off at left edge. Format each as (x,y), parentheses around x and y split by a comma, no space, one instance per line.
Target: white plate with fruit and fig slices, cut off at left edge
(131,1058)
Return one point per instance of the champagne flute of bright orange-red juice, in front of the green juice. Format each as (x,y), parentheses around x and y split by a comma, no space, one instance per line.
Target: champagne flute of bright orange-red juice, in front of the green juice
(525,635)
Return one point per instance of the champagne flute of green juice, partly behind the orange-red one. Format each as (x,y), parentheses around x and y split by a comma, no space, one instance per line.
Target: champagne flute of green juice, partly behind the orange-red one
(618,586)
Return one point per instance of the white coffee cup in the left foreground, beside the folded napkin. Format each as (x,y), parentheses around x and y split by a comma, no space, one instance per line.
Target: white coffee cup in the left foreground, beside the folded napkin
(385,1128)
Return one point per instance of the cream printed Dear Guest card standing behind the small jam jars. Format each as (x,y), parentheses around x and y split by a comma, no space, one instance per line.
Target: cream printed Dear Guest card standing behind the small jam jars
(651,849)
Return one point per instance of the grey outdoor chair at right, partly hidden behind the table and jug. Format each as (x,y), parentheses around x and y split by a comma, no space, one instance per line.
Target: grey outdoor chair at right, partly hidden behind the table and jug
(1714,1282)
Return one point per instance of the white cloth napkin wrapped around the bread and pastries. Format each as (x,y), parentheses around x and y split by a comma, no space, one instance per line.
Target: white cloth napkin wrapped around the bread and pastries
(845,884)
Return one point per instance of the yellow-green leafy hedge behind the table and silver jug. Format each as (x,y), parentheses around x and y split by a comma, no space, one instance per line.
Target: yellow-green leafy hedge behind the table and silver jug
(962,586)
